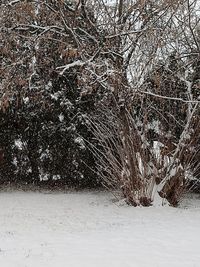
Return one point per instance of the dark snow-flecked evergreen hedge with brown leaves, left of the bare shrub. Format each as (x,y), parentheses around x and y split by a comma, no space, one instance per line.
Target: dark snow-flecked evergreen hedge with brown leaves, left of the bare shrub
(42,118)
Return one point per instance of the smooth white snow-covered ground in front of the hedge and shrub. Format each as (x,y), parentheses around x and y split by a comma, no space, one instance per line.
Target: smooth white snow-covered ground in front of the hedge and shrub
(90,229)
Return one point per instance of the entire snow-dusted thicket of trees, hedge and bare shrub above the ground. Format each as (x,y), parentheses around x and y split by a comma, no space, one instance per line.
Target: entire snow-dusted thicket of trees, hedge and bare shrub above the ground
(96,90)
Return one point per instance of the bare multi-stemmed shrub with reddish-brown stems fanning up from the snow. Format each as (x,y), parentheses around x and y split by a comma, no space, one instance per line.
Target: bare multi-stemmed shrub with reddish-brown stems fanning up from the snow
(146,170)
